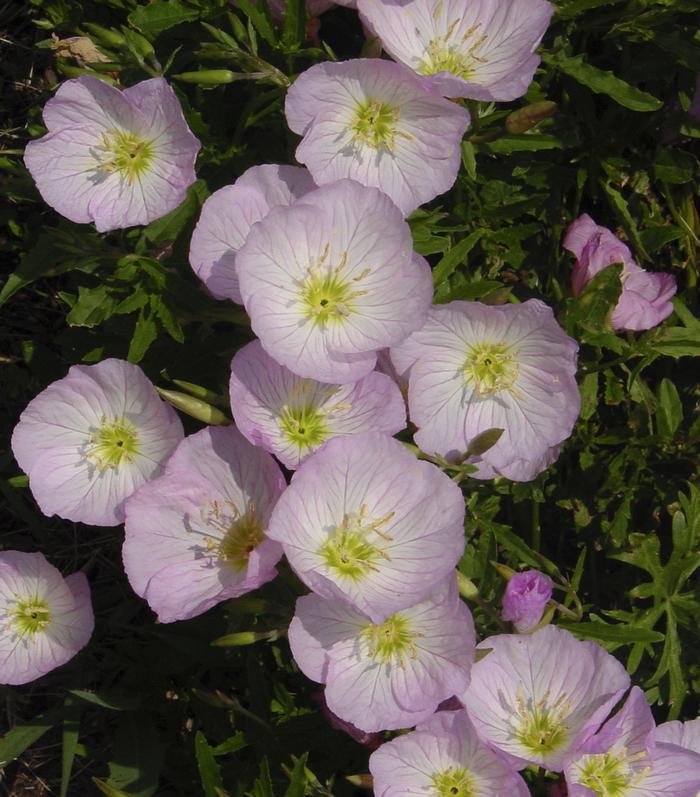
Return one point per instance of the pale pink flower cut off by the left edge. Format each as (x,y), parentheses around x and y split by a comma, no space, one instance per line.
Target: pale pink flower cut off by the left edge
(45,619)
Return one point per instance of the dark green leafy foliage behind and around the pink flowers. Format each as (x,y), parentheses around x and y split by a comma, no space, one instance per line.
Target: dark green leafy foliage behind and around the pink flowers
(157,709)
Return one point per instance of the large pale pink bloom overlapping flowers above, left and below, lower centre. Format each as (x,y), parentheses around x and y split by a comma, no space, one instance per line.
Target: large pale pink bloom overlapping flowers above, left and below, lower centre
(365,521)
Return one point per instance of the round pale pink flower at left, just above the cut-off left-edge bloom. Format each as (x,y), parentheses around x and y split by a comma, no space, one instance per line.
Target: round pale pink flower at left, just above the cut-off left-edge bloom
(90,439)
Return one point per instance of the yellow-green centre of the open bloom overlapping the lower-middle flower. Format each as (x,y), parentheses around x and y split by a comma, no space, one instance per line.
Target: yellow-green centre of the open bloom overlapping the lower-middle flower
(353,549)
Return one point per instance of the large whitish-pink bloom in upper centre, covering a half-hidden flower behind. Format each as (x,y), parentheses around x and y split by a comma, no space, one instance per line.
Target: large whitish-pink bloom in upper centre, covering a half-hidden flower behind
(331,280)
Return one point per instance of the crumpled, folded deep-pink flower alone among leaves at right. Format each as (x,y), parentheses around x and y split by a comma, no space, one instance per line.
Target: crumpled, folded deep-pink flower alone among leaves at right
(645,300)
